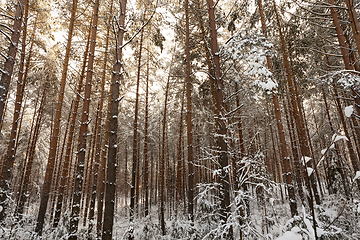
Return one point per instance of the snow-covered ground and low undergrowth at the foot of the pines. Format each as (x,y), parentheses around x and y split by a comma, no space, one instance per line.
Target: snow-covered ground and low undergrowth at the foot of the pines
(337,218)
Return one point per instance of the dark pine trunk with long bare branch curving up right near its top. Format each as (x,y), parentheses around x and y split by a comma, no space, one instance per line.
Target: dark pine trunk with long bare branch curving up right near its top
(111,161)
